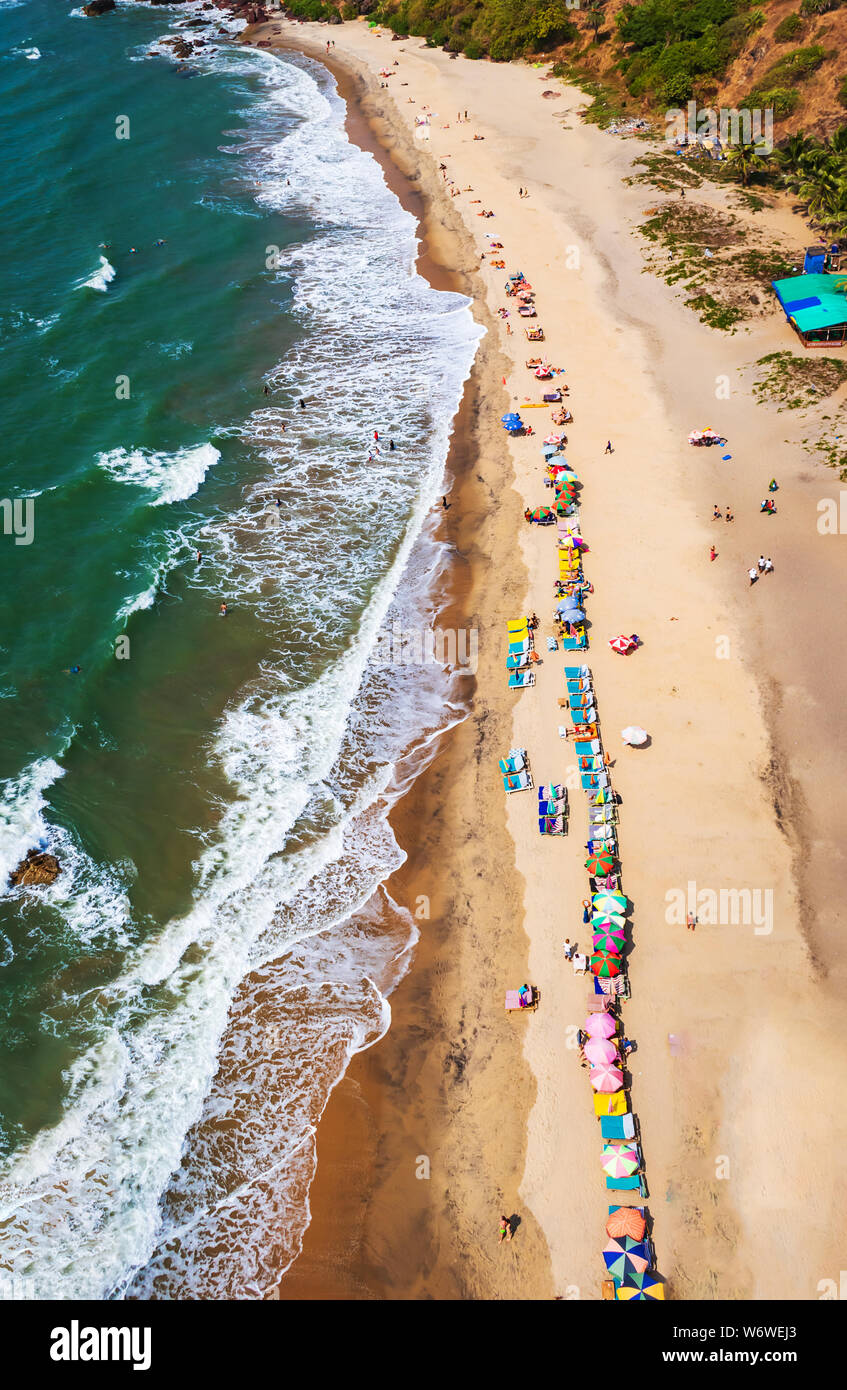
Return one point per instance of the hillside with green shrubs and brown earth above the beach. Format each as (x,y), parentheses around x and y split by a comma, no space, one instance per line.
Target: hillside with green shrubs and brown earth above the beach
(649,55)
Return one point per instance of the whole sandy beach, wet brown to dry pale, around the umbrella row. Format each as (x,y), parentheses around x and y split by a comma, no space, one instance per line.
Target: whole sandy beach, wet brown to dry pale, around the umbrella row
(739,789)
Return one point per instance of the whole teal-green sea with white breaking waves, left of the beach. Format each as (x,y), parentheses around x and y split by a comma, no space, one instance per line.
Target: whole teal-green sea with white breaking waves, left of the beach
(179,1004)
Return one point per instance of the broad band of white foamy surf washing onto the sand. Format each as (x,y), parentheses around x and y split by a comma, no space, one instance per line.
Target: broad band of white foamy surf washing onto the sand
(137,1175)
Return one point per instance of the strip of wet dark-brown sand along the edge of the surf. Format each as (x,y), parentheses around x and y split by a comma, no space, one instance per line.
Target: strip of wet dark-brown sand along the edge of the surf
(346,1254)
